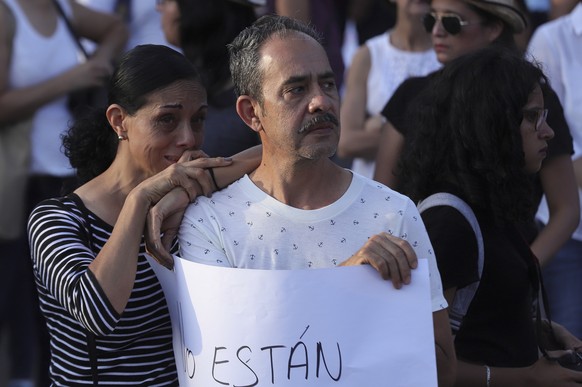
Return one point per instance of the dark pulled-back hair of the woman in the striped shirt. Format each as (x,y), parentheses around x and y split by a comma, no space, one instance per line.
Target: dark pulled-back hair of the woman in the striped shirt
(91,143)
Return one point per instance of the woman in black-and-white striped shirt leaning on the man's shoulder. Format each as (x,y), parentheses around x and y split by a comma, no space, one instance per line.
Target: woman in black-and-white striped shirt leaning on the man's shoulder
(104,307)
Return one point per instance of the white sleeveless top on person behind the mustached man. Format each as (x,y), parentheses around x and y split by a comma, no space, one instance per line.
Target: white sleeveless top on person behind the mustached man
(389,67)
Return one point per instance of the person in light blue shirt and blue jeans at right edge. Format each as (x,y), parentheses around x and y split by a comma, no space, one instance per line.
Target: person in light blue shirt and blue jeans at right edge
(558,46)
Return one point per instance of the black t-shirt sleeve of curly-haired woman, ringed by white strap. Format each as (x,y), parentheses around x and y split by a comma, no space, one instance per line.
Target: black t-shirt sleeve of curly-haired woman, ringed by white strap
(455,246)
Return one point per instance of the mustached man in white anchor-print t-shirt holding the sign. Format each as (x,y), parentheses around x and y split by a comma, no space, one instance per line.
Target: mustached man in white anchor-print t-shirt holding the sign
(299,209)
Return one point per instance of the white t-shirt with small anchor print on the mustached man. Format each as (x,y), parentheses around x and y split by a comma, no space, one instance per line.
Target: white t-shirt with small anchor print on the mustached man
(241,226)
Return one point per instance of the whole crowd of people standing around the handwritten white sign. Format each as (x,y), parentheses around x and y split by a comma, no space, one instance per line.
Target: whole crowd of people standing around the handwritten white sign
(475,100)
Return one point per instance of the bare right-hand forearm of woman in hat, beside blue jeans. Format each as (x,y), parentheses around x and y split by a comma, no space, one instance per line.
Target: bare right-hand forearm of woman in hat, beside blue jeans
(559,185)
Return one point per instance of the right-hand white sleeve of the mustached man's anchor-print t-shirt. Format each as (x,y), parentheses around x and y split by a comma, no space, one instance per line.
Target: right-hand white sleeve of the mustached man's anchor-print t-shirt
(415,233)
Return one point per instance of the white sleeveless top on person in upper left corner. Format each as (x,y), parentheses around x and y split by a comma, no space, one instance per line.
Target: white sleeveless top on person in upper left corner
(35,59)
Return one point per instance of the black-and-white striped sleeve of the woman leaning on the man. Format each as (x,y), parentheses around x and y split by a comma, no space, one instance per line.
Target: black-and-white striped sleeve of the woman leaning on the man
(61,255)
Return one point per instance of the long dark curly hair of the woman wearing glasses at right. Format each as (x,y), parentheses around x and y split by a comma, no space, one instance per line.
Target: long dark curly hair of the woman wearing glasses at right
(466,134)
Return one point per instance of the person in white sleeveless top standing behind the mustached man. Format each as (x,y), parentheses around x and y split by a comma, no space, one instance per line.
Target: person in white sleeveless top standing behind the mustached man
(377,69)
